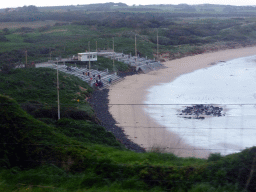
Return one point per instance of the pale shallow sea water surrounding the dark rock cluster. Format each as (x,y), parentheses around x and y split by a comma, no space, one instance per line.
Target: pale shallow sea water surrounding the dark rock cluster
(230,85)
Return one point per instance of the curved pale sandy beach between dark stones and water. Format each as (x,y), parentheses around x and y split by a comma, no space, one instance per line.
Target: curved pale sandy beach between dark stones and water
(126,102)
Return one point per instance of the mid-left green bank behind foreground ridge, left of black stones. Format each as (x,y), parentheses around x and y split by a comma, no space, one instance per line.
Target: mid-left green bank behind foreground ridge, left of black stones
(38,86)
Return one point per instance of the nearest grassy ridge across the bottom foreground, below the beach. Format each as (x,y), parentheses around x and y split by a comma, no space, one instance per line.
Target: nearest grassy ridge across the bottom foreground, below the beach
(38,157)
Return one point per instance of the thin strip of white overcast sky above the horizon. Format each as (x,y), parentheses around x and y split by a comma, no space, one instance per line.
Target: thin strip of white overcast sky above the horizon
(15,3)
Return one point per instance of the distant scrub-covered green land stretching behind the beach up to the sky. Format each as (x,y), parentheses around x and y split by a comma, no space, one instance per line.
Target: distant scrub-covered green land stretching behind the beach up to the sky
(181,32)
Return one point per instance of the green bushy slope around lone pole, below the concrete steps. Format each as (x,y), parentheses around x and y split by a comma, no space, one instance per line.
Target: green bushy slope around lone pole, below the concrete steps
(35,90)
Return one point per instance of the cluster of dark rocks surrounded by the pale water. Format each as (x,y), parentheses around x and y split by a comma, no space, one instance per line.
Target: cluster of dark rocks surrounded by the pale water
(201,111)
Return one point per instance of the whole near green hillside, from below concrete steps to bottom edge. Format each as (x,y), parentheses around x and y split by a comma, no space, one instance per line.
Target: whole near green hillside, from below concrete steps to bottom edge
(40,153)
